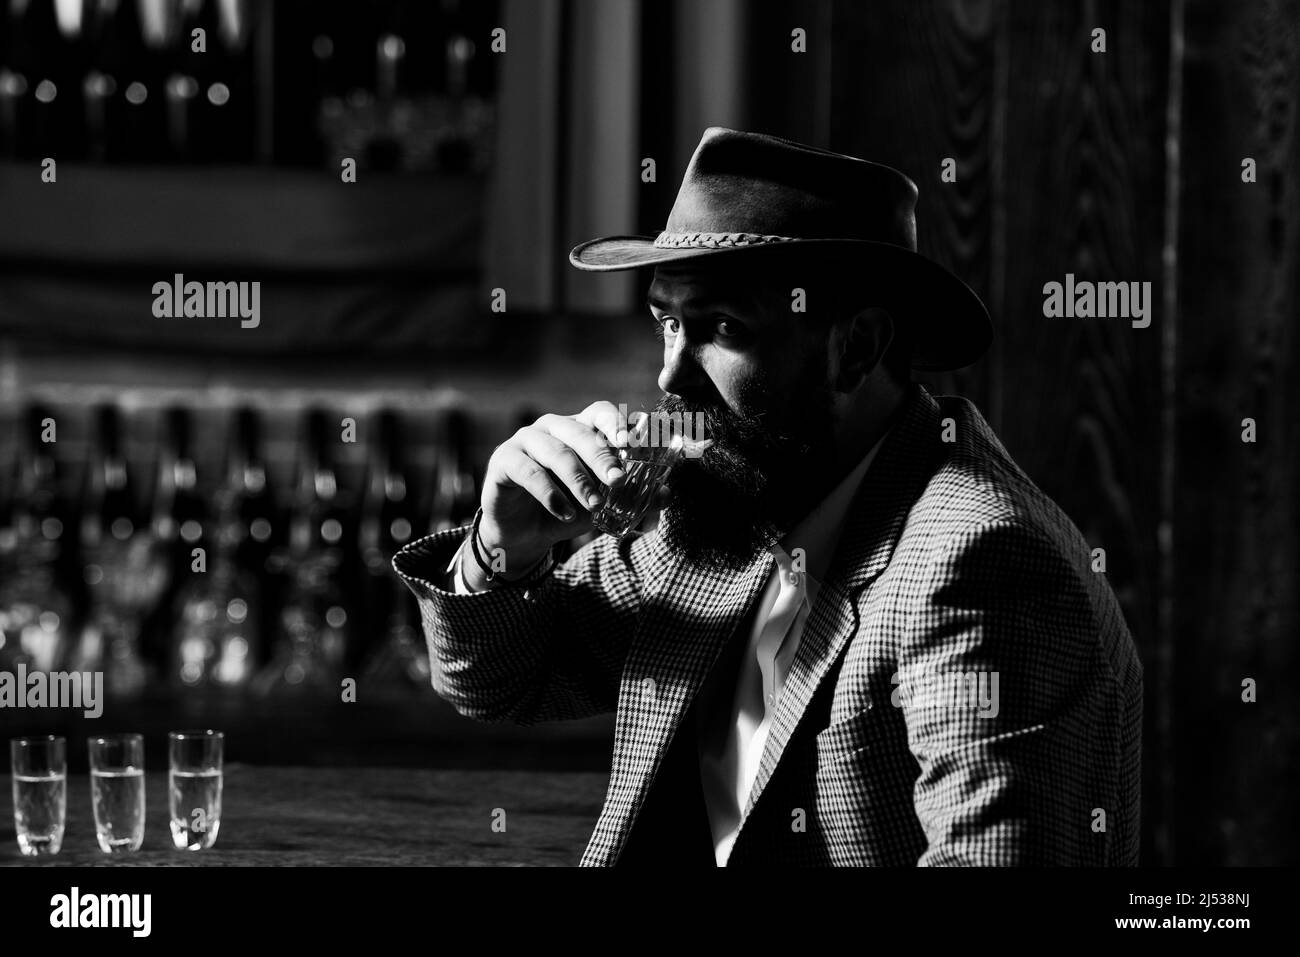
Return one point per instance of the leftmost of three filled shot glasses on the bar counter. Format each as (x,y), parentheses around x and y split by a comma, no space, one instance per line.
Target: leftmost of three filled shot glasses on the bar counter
(40,769)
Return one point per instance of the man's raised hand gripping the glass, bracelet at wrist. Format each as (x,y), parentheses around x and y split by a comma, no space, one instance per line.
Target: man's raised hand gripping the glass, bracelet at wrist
(543,486)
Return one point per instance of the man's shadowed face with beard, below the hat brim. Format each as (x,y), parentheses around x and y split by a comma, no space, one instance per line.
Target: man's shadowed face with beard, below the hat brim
(736,353)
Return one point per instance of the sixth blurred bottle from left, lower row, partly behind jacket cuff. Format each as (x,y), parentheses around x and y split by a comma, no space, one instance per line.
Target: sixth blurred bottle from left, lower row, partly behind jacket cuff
(389,518)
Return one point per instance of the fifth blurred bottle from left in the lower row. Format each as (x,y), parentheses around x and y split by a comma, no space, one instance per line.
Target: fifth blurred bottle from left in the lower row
(314,629)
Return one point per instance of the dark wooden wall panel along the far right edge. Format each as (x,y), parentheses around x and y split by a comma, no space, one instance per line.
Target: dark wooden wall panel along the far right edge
(1237,505)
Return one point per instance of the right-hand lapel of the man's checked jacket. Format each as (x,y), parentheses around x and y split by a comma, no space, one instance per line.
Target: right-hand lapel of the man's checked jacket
(876,521)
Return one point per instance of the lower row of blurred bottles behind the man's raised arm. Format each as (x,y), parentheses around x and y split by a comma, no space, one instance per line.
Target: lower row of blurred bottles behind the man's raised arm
(222,581)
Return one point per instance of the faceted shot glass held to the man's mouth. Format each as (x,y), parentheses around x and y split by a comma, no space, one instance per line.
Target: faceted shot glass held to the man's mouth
(656,445)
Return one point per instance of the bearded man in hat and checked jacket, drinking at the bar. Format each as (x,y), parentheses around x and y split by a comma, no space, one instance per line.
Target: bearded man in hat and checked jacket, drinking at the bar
(859,634)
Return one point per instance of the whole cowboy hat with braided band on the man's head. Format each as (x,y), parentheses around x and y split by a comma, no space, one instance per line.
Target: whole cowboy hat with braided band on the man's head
(752,192)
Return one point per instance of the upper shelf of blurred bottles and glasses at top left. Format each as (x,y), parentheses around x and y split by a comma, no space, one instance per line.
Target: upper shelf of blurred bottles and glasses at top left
(397,85)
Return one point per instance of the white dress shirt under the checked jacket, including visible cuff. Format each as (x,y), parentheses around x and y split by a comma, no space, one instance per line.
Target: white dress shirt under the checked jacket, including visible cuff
(735,718)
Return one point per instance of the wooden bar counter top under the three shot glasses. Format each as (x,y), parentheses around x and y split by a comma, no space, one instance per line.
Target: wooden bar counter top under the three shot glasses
(352,816)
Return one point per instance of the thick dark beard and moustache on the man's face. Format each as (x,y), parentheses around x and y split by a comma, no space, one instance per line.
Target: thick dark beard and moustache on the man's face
(749,488)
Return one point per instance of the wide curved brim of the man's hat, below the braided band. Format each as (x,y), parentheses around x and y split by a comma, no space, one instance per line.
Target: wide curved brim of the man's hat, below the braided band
(952,327)
